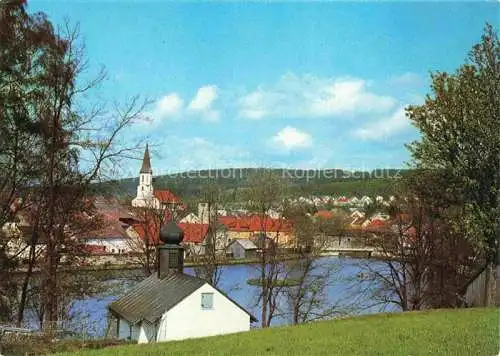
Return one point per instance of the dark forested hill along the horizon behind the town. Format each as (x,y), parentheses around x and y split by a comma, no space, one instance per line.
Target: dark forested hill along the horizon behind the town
(190,185)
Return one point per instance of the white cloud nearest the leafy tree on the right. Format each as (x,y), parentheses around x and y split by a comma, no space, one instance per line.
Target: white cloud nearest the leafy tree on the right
(384,128)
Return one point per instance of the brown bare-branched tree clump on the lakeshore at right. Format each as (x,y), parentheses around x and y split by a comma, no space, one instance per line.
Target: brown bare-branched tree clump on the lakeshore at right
(425,263)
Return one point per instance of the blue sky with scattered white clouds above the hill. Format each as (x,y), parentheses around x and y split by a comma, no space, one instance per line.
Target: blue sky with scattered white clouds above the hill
(298,85)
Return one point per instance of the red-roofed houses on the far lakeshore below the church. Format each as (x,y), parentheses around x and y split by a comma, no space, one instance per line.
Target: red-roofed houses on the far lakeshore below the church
(123,231)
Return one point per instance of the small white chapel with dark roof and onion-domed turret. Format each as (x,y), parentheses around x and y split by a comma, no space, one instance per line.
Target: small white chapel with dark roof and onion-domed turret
(171,305)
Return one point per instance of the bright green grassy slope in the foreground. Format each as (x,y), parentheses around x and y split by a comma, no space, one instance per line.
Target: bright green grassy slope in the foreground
(443,332)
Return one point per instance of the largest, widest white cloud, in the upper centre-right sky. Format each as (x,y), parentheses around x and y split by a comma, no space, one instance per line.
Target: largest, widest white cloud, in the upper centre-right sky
(309,96)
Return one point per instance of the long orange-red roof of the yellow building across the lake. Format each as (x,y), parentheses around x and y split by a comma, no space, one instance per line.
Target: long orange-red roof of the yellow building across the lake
(254,223)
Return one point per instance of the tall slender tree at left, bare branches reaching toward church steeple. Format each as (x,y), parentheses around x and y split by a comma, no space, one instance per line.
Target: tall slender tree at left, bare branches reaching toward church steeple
(70,138)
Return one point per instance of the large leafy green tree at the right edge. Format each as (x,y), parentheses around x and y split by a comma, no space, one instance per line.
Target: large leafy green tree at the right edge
(459,125)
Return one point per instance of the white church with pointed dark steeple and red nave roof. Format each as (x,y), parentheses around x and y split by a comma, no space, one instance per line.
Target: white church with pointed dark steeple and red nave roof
(147,196)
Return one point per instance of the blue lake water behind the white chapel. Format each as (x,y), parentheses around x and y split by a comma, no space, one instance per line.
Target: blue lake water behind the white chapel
(349,294)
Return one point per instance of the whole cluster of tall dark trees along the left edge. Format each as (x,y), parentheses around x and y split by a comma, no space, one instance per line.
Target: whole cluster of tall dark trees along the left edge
(56,145)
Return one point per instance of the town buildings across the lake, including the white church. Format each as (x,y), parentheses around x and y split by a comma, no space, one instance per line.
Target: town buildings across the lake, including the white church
(130,229)
